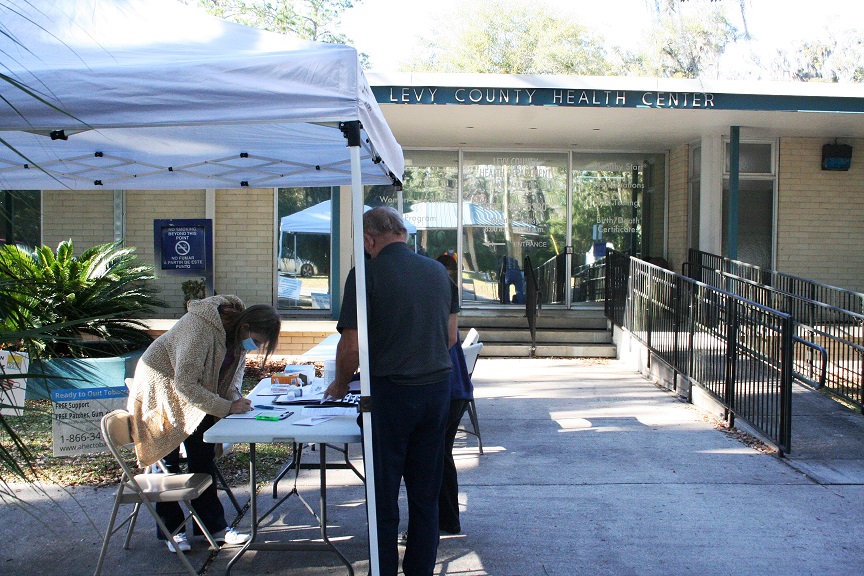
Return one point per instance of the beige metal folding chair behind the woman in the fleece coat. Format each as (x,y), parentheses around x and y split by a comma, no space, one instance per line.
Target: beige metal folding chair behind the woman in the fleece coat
(146,489)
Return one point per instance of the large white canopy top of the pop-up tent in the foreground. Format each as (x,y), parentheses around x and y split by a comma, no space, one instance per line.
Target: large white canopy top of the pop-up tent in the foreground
(153,94)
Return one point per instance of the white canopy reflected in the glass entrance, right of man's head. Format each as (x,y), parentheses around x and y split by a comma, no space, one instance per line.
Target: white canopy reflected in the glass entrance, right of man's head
(442,216)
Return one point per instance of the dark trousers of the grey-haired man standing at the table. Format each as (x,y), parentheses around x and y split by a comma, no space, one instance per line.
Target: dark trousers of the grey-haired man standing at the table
(408,423)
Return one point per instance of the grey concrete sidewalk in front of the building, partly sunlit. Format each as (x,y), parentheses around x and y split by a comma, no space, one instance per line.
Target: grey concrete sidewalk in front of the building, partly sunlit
(588,469)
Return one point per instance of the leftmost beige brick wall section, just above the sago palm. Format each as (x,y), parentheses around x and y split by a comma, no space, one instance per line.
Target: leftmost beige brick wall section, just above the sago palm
(85,216)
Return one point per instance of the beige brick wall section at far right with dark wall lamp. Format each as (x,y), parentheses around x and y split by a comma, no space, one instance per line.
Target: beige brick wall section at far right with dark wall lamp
(820,215)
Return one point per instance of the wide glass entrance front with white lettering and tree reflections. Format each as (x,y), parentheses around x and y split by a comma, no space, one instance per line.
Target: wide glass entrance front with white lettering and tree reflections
(482,213)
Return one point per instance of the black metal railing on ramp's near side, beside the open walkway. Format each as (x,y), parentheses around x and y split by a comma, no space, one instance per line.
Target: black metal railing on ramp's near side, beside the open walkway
(737,350)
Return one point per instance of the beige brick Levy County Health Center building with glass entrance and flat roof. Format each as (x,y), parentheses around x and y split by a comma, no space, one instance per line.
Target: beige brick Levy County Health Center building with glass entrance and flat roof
(514,166)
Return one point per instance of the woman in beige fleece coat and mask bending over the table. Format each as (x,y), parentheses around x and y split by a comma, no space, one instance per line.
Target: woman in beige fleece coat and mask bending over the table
(188,378)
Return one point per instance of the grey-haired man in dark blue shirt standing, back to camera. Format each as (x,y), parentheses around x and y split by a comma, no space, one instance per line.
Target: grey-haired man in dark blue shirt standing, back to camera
(412,306)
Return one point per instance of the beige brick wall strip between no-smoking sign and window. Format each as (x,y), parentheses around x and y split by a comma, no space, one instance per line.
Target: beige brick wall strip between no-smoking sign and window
(245,232)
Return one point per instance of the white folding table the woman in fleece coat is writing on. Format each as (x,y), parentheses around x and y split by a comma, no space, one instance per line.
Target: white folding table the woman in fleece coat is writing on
(338,430)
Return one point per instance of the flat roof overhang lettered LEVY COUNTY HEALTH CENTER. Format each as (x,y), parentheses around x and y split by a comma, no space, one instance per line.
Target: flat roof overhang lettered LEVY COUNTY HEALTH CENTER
(606,113)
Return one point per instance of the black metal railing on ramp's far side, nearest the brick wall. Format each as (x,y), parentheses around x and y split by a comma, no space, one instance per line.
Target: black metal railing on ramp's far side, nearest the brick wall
(829,341)
